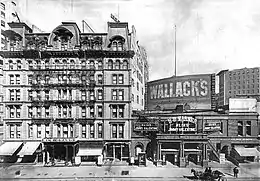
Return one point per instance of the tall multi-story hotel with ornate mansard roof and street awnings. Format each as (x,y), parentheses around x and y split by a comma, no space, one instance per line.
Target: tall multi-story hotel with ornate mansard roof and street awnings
(69,95)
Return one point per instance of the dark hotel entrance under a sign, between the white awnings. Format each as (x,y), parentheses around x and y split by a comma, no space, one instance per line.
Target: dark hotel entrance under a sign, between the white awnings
(60,151)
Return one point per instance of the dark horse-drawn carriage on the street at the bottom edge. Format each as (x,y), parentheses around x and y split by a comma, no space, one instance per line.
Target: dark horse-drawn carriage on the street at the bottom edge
(207,176)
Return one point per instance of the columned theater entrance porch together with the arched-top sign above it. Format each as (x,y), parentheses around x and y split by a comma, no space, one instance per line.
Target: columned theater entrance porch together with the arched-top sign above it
(179,142)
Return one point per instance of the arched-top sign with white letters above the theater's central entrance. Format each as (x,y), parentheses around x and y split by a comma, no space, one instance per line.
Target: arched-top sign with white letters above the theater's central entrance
(182,124)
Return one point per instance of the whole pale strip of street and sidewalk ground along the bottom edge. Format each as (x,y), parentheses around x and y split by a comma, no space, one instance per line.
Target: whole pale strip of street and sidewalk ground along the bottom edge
(114,173)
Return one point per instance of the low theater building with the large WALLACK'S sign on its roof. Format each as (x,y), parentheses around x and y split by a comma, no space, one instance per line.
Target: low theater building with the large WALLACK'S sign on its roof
(182,125)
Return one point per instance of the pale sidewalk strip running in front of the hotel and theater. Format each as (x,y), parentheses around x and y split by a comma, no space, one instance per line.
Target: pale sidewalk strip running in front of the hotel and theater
(30,171)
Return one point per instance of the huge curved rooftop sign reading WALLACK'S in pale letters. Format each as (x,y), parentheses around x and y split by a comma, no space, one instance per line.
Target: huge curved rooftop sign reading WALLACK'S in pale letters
(193,90)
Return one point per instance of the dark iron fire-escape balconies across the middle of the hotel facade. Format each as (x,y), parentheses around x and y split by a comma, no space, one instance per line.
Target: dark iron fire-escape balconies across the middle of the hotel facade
(48,78)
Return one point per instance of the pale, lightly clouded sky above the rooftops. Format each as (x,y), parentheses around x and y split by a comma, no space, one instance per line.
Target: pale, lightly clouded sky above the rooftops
(211,35)
